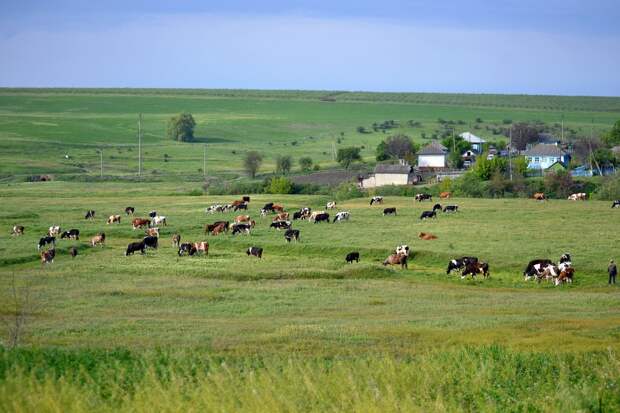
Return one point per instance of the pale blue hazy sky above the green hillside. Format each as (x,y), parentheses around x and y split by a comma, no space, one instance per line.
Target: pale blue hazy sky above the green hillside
(554,47)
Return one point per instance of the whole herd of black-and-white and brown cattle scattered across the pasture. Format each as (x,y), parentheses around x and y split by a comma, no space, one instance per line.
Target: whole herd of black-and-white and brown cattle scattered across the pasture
(538,269)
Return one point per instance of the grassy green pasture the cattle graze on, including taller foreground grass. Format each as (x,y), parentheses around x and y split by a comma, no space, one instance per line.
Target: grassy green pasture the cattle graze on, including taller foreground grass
(300,329)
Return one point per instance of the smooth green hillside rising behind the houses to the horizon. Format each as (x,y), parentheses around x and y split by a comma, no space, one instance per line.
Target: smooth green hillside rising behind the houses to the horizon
(38,127)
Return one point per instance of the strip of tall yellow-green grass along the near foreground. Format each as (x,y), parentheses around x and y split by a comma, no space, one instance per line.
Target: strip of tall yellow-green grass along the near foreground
(483,379)
